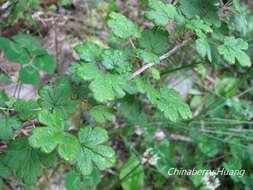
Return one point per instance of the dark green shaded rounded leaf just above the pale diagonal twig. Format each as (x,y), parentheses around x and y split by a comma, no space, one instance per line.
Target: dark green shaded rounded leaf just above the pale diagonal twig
(155,41)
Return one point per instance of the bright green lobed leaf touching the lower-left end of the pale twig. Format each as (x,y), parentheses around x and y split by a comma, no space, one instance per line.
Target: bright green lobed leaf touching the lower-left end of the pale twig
(107,87)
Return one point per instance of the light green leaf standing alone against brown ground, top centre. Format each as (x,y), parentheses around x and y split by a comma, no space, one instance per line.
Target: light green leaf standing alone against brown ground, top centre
(122,27)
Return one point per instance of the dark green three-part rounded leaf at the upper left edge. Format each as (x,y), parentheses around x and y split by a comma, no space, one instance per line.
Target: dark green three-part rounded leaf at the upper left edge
(27,51)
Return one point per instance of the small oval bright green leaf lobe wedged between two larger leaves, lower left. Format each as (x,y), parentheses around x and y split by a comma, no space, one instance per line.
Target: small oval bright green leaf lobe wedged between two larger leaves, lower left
(69,148)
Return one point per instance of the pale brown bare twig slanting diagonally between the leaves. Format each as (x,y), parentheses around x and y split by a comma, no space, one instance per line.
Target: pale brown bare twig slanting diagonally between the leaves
(161,58)
